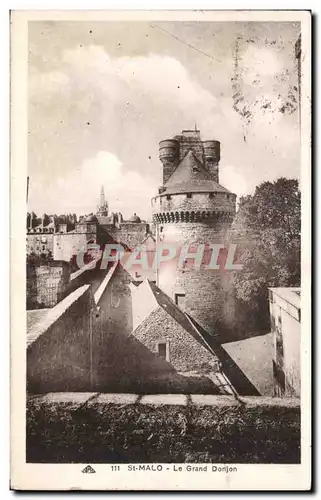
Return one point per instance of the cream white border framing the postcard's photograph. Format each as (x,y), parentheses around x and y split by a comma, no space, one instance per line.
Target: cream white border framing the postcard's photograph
(69,476)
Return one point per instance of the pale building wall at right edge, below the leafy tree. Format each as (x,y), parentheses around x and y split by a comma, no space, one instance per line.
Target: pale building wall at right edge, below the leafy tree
(285,313)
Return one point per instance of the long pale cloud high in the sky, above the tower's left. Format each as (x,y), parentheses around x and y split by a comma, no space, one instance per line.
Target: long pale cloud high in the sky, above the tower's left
(162,76)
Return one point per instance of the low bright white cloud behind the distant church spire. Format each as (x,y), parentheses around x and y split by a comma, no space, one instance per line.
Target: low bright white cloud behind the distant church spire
(79,190)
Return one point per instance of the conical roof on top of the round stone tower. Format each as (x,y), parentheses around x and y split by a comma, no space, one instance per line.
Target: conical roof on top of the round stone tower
(191,176)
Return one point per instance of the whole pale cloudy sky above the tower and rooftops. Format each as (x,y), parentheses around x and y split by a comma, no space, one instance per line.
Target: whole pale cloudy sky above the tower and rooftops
(103,94)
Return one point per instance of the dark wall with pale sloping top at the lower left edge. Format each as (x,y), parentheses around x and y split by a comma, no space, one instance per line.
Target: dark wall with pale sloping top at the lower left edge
(59,347)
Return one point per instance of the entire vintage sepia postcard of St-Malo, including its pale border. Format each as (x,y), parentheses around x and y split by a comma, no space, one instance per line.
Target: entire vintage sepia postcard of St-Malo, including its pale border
(160,255)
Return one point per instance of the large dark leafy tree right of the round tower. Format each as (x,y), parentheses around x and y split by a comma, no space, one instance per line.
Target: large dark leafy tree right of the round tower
(267,229)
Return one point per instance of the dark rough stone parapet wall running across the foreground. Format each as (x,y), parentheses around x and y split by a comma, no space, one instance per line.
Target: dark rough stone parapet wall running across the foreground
(125,428)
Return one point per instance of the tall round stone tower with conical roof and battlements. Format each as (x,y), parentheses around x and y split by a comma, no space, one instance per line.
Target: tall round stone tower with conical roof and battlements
(192,213)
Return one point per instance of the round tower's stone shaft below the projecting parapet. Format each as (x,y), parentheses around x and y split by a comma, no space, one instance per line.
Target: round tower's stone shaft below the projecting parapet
(205,289)
